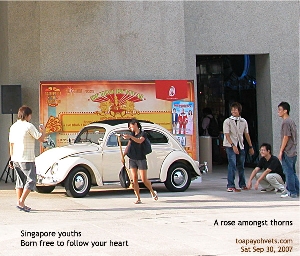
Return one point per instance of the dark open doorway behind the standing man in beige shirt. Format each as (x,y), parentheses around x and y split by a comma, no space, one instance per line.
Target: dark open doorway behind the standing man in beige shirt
(222,80)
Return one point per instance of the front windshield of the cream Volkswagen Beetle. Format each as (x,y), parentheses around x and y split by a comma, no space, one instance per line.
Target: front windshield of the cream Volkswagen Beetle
(91,134)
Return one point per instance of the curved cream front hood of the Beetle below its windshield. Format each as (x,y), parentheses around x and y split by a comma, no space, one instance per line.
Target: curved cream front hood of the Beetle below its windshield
(51,156)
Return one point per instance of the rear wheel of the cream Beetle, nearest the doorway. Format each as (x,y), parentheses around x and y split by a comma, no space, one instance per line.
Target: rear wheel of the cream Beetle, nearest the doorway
(178,178)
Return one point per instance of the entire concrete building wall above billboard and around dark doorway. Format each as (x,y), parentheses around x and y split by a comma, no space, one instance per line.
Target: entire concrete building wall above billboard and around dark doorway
(128,40)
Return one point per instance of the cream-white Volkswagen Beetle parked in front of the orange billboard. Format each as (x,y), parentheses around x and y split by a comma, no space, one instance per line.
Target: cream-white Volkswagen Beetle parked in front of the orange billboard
(95,159)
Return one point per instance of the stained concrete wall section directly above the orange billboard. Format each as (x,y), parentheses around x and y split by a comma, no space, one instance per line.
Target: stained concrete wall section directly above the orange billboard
(112,40)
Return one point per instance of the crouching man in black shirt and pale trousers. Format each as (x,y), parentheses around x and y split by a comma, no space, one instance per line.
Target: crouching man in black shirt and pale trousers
(272,178)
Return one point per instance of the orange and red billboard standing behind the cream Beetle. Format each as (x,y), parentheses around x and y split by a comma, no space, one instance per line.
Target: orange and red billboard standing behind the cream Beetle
(67,106)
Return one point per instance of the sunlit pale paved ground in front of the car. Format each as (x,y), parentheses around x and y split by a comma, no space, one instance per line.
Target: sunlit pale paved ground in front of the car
(204,220)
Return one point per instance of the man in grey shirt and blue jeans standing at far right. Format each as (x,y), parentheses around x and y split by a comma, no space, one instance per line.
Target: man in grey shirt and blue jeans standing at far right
(288,150)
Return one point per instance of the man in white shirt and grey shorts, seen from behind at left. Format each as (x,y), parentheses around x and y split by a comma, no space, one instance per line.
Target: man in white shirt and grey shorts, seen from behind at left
(22,136)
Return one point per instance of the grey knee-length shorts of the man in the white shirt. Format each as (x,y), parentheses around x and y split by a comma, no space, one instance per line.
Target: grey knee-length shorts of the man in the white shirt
(26,175)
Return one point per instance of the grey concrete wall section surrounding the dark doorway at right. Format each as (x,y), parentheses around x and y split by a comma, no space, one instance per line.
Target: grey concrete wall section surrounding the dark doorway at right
(262,28)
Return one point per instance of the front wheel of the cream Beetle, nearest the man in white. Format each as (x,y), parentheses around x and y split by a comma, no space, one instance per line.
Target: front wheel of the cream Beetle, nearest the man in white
(78,182)
